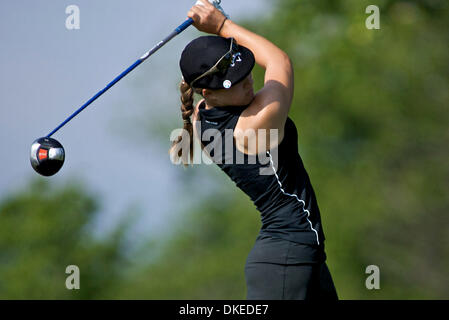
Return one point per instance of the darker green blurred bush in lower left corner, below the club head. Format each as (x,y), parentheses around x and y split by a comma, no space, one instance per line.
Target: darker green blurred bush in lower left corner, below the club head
(42,231)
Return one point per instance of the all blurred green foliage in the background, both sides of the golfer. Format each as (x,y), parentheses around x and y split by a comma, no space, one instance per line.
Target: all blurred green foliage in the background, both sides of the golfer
(371,108)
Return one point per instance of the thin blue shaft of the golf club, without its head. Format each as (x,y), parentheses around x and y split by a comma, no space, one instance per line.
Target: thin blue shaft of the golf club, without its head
(177,31)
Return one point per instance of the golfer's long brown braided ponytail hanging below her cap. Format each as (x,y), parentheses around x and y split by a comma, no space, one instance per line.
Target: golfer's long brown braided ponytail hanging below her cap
(187,111)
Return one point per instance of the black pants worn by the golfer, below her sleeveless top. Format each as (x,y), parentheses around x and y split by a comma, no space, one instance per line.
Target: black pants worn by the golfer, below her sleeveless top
(282,270)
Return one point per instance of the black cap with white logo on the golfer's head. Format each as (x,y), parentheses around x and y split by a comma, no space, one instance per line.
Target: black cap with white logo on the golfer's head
(202,53)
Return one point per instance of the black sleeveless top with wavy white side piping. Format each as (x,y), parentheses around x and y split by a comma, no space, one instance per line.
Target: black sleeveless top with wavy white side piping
(283,194)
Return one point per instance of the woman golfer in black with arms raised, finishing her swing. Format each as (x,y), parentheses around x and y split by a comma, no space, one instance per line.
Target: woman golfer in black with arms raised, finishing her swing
(288,258)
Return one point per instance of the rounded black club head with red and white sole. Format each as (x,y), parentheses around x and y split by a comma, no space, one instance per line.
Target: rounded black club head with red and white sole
(47,156)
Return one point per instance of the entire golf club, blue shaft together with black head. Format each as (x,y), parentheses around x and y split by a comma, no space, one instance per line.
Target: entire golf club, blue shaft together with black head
(47,154)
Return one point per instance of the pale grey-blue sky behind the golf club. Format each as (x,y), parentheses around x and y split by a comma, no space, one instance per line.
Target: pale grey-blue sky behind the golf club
(115,145)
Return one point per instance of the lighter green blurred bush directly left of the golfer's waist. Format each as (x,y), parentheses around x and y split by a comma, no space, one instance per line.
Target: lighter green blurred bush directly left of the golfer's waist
(205,257)
